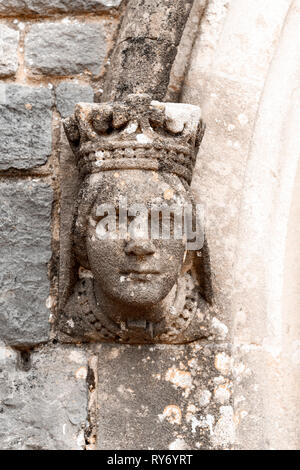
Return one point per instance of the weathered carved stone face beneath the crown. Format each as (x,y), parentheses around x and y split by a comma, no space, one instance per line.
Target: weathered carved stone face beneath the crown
(136,271)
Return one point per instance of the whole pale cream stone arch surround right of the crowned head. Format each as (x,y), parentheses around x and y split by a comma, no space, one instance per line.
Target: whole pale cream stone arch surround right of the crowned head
(242,179)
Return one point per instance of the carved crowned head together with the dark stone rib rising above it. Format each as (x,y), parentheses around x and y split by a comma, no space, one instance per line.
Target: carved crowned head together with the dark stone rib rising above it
(135,147)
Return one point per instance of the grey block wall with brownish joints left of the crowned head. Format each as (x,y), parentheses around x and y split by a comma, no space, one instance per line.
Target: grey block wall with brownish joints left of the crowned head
(52,55)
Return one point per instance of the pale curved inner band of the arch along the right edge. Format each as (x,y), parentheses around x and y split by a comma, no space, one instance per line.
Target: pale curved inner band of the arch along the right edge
(264,305)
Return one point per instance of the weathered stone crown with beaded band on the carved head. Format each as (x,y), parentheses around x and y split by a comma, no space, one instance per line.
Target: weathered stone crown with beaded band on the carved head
(136,134)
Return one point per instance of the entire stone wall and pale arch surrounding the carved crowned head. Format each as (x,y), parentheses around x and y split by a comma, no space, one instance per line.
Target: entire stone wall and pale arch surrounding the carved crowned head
(210,394)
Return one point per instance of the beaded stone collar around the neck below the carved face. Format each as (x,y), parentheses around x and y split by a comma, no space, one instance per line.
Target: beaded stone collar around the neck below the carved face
(84,321)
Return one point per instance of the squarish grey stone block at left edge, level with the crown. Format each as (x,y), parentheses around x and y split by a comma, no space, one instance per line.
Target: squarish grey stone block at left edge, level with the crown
(25,122)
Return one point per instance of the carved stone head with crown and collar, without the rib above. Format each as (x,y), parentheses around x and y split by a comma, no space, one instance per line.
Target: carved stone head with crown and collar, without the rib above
(136,160)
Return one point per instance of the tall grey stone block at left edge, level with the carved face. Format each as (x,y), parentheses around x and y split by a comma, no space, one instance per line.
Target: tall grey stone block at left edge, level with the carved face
(25,213)
